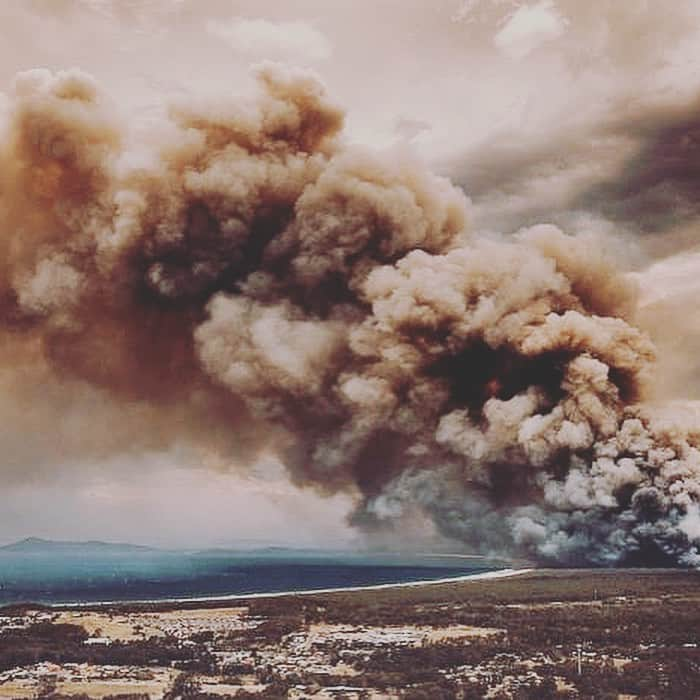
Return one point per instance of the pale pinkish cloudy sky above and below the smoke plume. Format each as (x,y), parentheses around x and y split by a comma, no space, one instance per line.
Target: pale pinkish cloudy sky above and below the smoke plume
(582,115)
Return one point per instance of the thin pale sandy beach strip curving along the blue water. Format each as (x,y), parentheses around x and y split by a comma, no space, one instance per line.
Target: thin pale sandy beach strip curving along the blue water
(484,575)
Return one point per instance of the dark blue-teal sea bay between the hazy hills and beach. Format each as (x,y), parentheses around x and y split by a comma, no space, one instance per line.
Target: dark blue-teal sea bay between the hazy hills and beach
(93,573)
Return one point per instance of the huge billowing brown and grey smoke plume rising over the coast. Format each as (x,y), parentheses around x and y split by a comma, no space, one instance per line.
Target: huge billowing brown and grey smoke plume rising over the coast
(249,282)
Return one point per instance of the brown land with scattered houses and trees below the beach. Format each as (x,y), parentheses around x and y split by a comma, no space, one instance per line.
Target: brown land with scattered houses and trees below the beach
(542,634)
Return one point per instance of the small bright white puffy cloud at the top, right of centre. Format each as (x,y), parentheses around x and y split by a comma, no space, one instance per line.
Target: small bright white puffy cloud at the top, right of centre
(528,28)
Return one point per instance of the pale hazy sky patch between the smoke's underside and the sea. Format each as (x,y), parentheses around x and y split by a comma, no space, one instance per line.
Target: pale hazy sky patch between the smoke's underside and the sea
(143,500)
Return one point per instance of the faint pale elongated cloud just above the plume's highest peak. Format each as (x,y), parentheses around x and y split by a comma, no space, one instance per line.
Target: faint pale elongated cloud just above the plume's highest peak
(265,39)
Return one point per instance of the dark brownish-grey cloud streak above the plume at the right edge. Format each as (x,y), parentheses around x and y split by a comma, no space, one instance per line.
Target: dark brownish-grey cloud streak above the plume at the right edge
(636,170)
